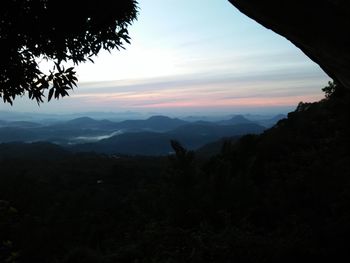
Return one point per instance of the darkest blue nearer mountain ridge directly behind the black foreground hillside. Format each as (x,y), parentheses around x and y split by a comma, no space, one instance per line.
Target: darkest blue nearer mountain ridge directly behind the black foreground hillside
(191,136)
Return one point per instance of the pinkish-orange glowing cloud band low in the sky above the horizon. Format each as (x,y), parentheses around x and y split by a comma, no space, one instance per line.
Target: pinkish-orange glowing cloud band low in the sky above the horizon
(190,99)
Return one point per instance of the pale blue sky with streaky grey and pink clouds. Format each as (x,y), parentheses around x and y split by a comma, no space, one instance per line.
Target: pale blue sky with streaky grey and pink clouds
(192,57)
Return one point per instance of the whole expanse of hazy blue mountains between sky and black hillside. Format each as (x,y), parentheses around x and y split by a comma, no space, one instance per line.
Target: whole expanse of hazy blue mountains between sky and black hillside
(145,137)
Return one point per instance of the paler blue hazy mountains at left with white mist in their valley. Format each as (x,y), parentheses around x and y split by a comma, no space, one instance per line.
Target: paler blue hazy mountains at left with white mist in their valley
(77,129)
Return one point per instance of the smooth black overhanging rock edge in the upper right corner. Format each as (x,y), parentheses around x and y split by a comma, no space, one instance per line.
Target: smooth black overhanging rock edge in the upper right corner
(320,28)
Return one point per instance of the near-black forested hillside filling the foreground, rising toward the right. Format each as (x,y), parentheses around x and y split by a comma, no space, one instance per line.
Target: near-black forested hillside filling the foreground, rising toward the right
(282,196)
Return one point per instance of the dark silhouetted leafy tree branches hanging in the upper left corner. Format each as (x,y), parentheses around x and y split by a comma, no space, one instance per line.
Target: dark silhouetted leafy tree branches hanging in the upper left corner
(56,31)
